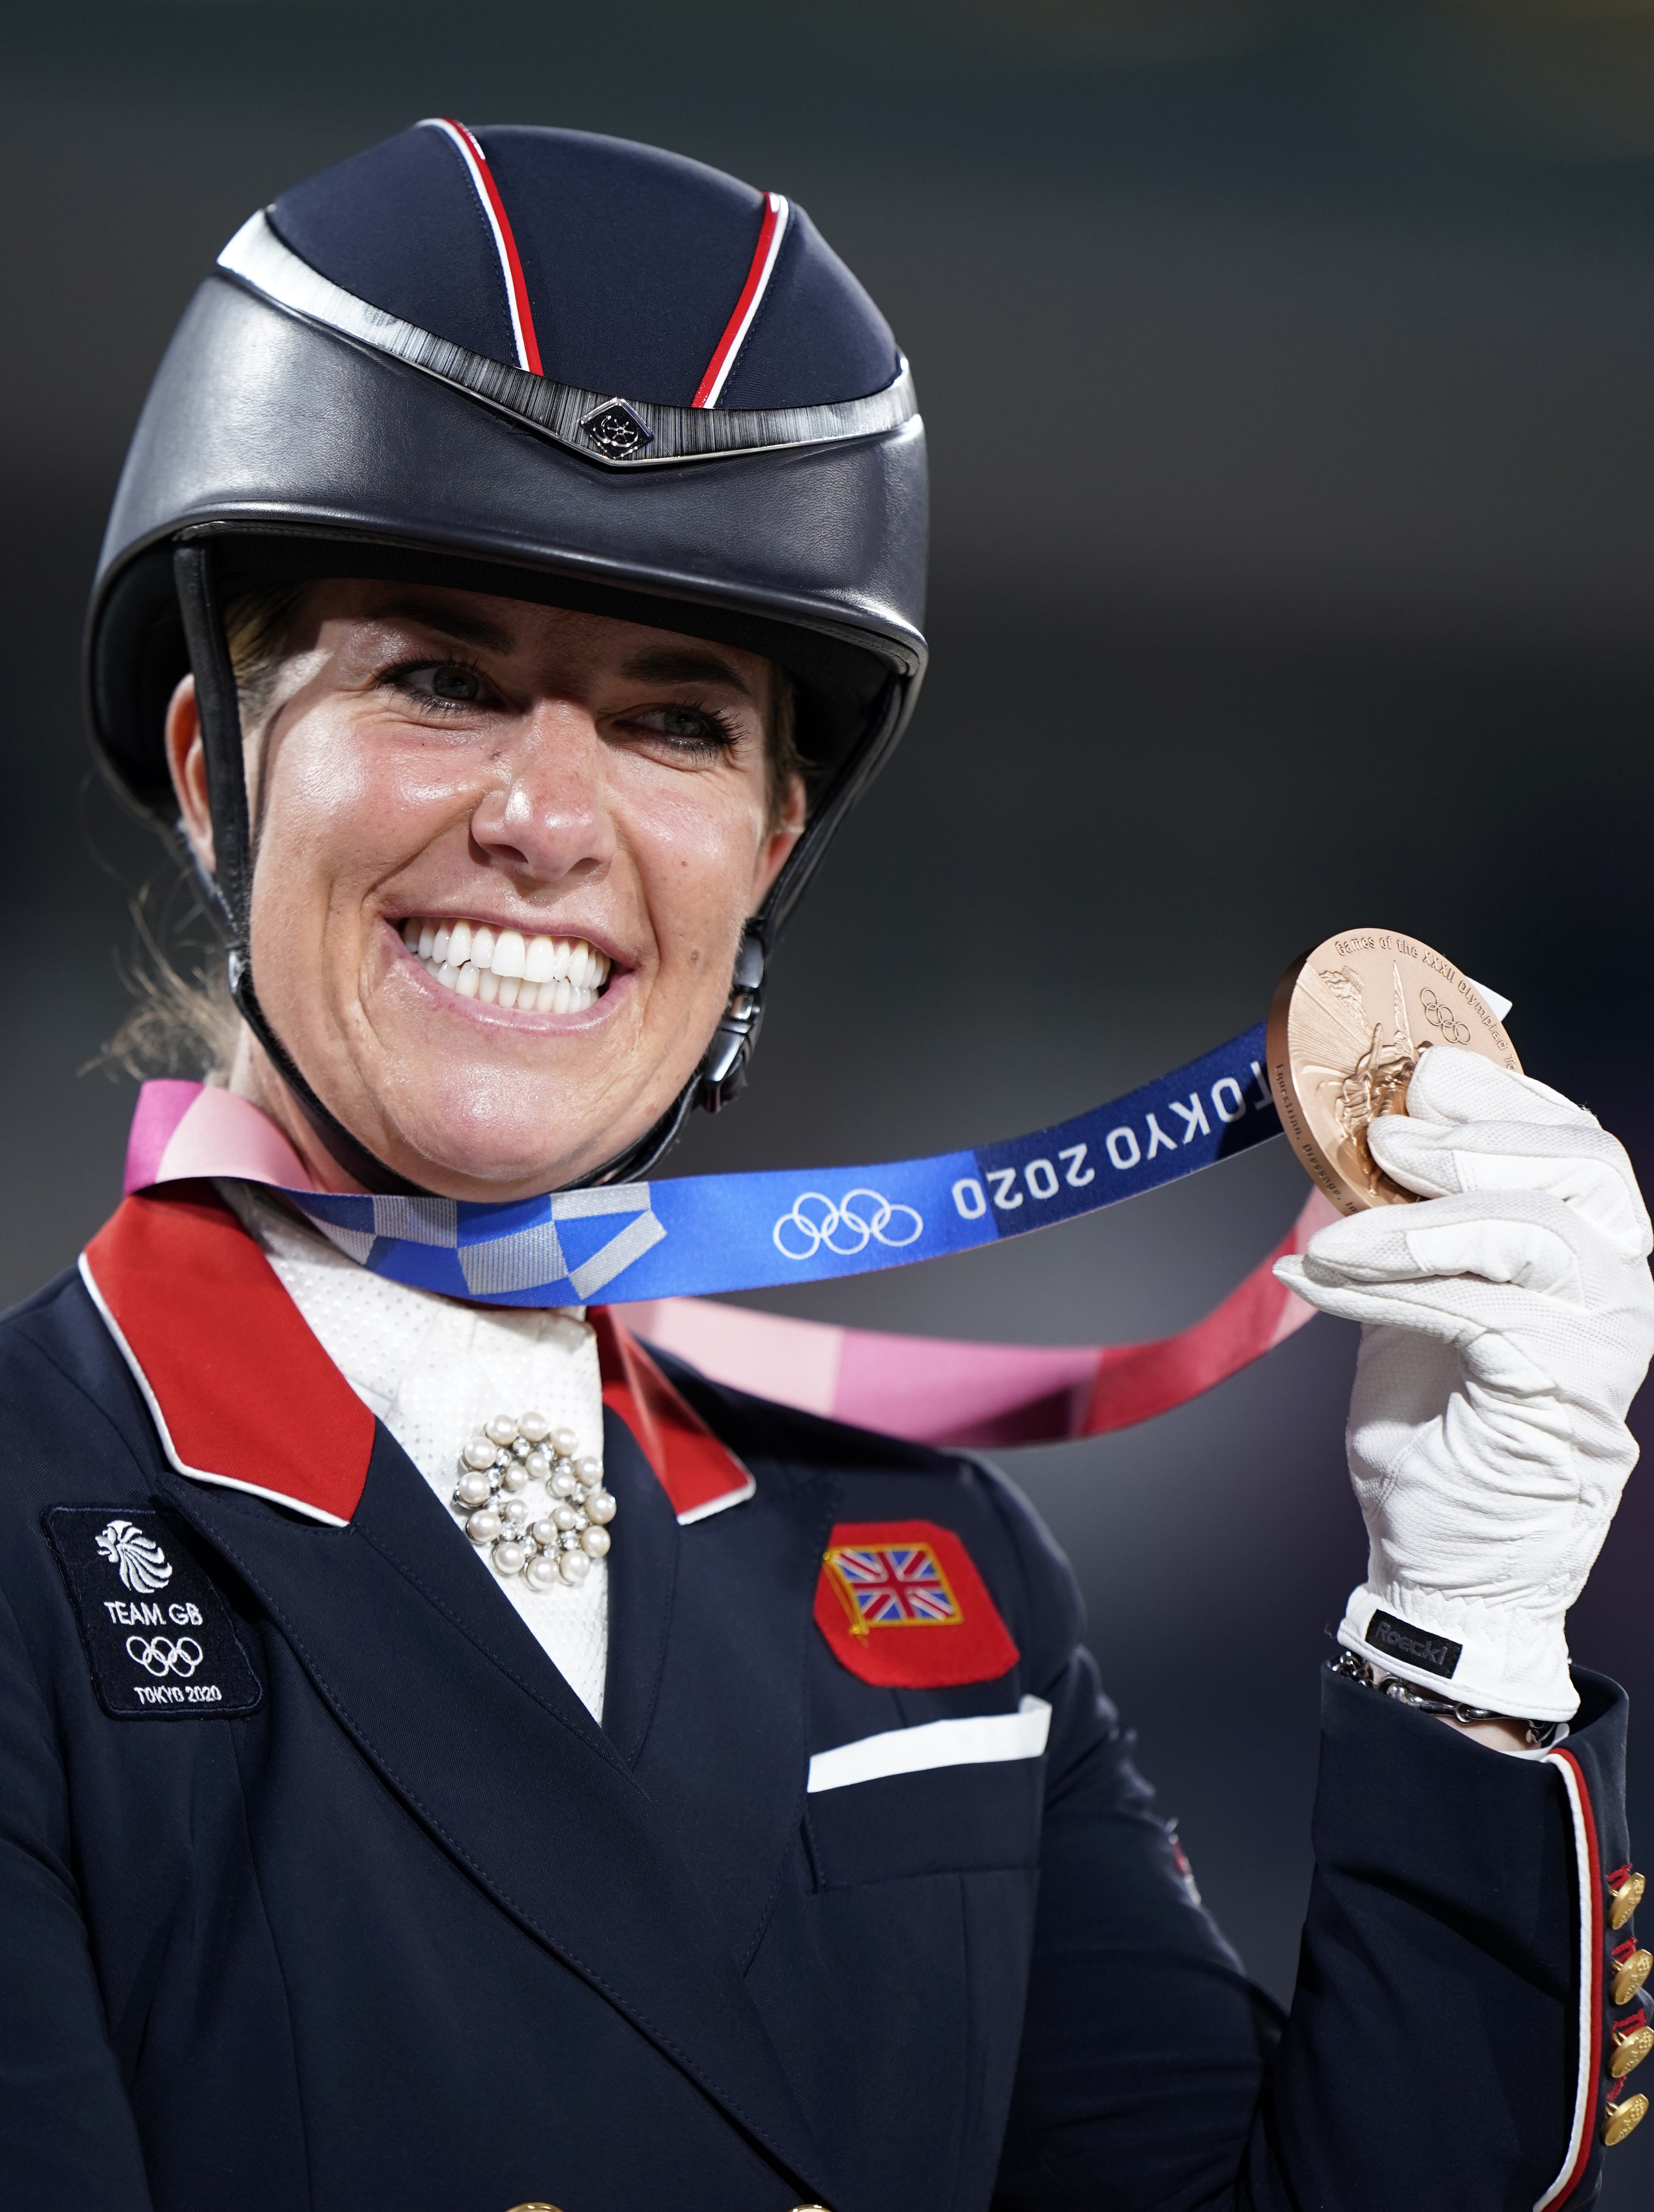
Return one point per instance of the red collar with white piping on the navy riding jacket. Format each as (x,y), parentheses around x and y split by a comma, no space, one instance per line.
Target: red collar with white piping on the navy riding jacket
(244,1395)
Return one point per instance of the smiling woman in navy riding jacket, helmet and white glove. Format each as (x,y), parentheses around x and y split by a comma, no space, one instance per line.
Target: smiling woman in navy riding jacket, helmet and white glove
(448,1760)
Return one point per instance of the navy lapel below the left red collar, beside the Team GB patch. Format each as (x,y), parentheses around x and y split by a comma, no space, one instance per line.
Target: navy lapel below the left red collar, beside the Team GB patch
(459,1711)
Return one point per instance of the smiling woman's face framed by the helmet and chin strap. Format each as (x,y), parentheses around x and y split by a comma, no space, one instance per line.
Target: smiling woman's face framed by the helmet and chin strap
(580,797)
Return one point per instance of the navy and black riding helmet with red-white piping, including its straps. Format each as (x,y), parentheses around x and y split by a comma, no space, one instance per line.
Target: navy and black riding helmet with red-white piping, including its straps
(545,366)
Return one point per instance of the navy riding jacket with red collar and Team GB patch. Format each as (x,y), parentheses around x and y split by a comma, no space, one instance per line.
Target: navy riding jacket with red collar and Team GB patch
(322,1890)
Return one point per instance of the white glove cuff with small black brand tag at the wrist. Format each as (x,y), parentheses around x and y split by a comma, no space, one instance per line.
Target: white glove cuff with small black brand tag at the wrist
(1476,1656)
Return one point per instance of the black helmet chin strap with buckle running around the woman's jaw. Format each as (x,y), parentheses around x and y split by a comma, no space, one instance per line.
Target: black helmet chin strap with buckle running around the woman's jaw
(720,1076)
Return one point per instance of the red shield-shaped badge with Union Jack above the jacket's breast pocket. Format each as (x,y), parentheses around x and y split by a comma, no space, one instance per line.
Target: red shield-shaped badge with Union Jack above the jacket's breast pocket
(903,1607)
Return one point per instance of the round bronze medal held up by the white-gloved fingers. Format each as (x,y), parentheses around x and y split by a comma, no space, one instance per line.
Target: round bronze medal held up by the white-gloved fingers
(1348,1027)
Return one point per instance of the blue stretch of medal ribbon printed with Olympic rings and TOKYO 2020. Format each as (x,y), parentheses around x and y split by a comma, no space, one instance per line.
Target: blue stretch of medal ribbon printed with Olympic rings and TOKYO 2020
(704,1233)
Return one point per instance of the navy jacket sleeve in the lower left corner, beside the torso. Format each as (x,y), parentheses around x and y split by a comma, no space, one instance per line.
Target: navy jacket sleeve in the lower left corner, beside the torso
(67,2131)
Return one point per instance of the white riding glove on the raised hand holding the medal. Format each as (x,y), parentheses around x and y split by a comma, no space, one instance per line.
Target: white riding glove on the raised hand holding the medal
(1507,1326)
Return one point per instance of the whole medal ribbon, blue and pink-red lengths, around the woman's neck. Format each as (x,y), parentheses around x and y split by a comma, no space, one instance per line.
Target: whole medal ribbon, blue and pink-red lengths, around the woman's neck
(691,1235)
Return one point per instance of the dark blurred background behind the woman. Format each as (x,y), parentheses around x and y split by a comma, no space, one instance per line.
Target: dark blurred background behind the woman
(1290,379)
